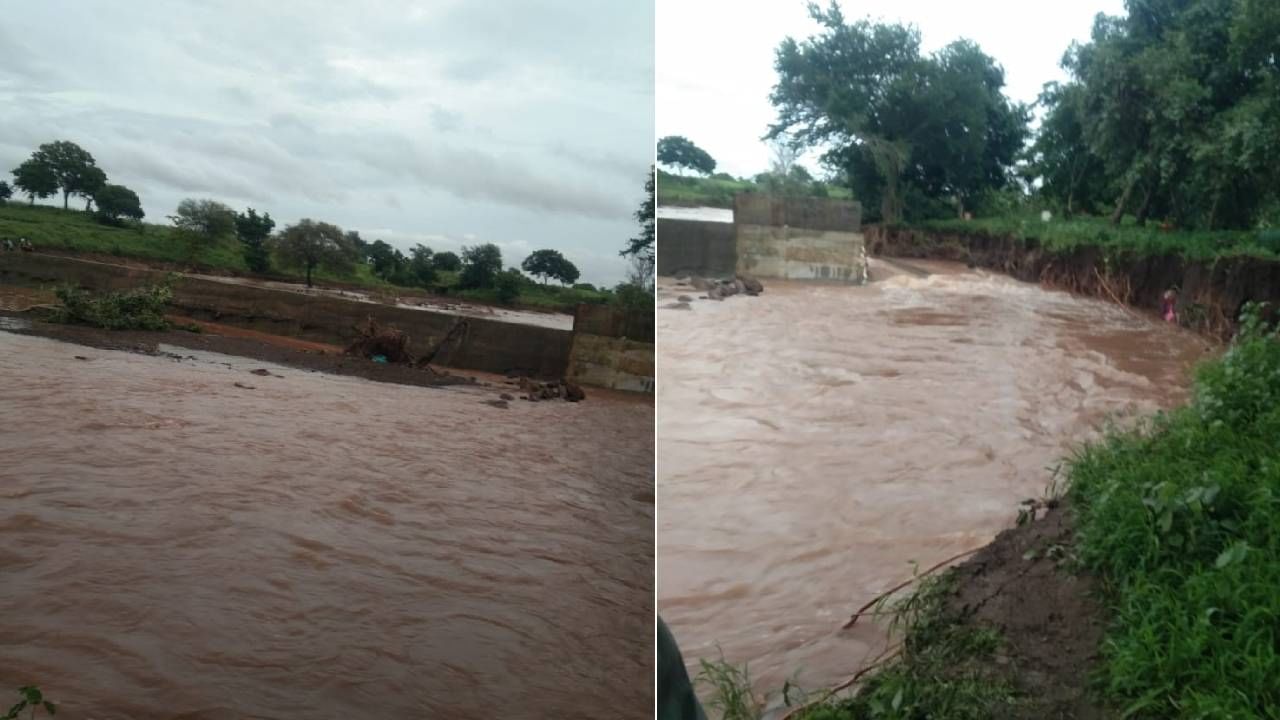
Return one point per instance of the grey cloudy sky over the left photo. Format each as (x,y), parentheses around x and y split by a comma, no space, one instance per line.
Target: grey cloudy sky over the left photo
(528,125)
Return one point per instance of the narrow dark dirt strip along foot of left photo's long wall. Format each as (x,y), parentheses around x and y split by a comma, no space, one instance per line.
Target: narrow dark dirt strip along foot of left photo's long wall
(259,347)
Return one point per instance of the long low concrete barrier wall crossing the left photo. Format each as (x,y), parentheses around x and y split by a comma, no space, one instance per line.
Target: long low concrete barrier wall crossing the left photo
(487,345)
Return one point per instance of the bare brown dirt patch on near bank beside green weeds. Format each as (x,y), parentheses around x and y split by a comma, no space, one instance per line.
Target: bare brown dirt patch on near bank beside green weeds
(1025,586)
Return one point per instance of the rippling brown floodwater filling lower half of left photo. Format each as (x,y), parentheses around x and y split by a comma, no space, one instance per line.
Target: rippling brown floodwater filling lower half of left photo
(317,546)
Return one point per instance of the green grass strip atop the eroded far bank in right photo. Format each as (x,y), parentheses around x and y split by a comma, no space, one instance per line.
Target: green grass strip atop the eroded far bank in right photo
(1150,240)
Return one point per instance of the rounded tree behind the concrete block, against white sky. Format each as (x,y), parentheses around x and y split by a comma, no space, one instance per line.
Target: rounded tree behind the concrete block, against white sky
(913,133)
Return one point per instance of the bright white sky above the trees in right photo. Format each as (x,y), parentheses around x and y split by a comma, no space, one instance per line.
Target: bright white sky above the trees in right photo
(716,58)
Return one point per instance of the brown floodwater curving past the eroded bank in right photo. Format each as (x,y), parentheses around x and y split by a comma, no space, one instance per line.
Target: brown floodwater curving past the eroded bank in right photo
(816,441)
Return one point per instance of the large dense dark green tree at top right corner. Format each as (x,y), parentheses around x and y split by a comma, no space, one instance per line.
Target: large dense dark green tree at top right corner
(1171,112)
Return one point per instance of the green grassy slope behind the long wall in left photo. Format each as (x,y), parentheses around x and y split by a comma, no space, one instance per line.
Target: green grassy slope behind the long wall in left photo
(74,231)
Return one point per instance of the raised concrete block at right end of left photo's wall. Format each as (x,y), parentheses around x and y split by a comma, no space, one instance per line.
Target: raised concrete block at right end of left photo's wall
(612,349)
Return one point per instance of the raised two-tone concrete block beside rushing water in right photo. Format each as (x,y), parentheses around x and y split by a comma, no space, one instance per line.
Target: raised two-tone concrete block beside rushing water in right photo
(810,239)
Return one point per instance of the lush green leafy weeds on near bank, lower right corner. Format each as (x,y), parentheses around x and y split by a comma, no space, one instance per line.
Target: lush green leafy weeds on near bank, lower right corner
(1182,520)
